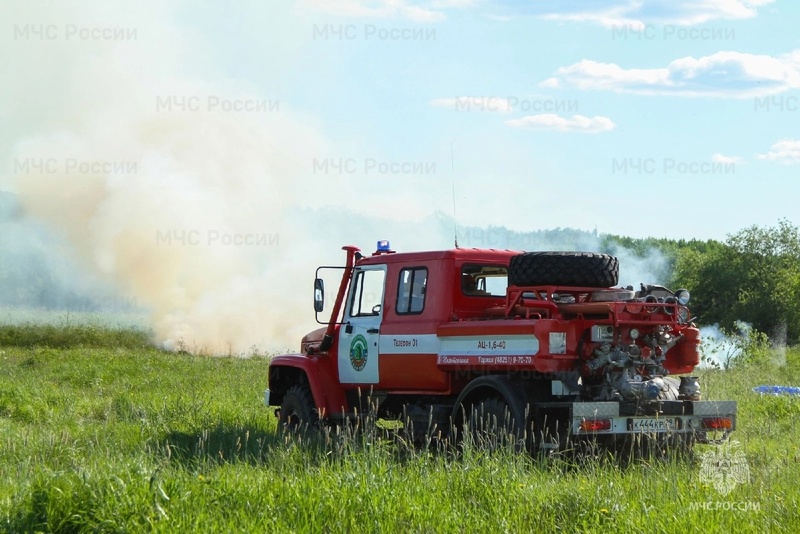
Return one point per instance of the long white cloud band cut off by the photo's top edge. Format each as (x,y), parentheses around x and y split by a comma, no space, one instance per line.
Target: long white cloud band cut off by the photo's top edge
(610,13)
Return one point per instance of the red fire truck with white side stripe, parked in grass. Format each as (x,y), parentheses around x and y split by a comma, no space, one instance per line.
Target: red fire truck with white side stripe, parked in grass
(540,343)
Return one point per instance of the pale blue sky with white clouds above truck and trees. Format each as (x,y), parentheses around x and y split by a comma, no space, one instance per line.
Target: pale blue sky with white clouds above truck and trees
(671,119)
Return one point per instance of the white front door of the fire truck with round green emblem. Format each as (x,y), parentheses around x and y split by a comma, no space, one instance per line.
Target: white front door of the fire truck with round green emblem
(359,336)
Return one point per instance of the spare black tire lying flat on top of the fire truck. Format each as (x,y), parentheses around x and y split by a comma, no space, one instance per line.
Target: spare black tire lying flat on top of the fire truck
(576,269)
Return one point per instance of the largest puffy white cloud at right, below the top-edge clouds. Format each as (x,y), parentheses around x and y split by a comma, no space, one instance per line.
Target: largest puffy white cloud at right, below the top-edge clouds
(723,74)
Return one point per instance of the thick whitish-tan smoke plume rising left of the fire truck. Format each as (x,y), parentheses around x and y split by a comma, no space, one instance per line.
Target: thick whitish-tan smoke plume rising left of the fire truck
(154,179)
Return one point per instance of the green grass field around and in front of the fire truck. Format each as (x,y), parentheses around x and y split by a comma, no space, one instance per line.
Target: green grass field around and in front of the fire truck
(100,432)
